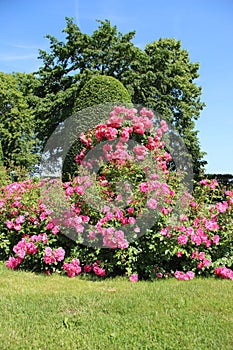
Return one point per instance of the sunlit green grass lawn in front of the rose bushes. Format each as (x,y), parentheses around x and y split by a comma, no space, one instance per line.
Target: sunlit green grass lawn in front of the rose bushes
(55,312)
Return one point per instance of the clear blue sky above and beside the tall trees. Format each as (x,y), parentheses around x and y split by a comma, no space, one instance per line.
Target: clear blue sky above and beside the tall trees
(205,28)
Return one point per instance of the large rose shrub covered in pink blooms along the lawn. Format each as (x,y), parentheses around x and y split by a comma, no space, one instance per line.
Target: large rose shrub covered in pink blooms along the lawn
(125,212)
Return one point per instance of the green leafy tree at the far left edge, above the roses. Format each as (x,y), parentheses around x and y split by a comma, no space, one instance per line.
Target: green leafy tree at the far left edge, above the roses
(17,125)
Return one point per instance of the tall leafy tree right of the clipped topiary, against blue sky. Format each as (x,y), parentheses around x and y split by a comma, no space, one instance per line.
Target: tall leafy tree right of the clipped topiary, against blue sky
(164,80)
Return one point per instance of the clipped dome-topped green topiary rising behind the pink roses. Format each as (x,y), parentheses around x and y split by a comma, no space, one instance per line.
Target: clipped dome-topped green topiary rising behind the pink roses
(96,99)
